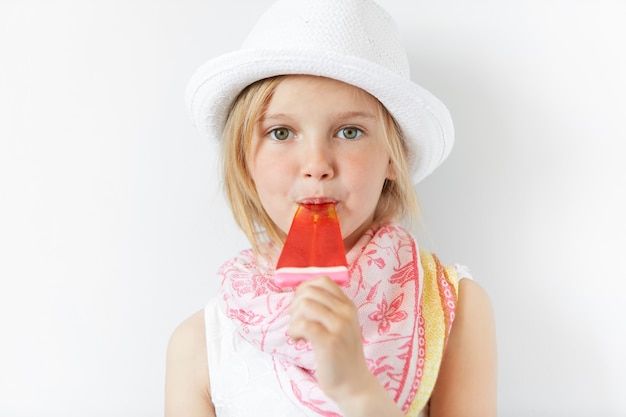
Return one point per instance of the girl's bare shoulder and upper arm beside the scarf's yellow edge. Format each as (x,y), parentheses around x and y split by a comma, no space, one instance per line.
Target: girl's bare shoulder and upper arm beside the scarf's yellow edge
(467,380)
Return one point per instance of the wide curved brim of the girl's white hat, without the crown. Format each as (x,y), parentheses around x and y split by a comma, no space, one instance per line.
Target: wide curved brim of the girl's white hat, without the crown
(423,119)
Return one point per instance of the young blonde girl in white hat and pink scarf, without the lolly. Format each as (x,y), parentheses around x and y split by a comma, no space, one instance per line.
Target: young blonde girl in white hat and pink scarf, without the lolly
(318,107)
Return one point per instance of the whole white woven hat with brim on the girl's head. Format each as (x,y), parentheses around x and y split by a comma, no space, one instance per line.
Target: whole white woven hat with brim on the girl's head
(354,41)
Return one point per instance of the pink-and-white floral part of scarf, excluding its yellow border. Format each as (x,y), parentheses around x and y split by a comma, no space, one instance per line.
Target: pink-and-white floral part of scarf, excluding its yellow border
(385,285)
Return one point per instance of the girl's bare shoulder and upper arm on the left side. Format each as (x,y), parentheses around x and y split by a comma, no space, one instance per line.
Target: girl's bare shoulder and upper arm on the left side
(187,386)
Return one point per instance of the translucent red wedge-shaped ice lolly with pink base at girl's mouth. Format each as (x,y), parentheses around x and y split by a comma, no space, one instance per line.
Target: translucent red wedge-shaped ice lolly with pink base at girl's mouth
(313,247)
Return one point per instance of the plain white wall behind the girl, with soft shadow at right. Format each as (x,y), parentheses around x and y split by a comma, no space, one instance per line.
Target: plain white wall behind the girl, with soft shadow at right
(112,224)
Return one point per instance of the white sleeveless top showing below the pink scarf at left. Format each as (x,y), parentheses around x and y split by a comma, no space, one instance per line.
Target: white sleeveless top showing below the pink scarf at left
(243,381)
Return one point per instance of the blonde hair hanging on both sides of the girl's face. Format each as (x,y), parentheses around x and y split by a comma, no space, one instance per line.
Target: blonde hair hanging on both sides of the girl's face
(398,200)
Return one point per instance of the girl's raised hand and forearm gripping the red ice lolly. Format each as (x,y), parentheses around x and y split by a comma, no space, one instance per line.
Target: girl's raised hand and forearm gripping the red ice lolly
(324,316)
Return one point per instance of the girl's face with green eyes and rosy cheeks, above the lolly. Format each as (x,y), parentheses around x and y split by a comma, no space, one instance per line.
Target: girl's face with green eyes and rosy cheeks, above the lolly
(320,140)
